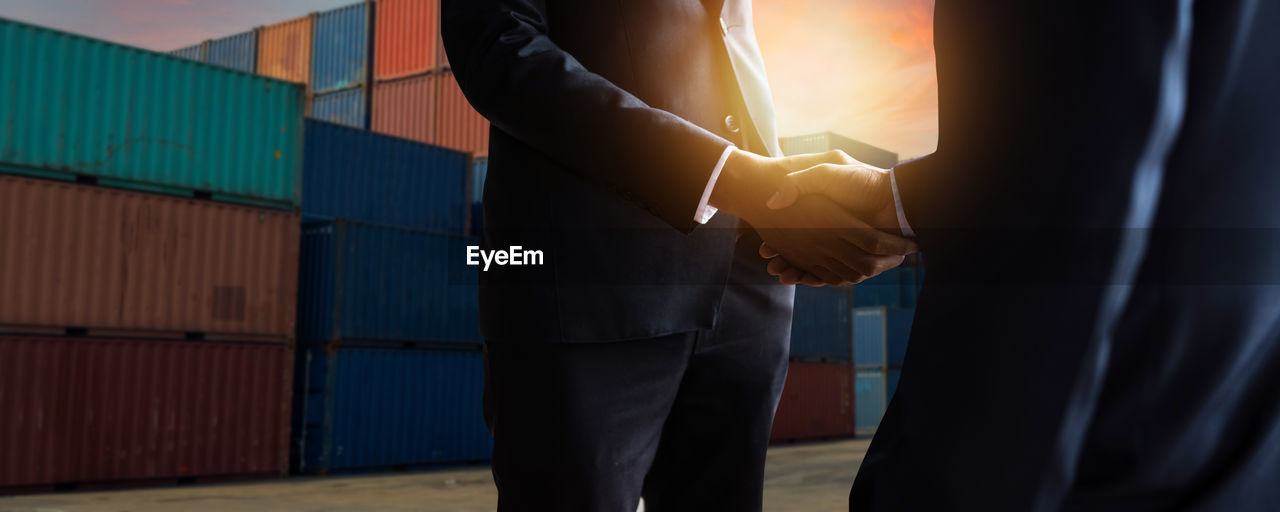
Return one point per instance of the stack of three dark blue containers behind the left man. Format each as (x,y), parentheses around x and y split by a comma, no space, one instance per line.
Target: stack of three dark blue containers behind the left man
(390,371)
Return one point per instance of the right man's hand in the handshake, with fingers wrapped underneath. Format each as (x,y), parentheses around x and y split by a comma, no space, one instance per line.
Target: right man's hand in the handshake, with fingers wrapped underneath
(858,188)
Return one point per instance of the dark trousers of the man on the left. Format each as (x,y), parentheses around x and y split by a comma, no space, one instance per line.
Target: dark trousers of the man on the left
(682,420)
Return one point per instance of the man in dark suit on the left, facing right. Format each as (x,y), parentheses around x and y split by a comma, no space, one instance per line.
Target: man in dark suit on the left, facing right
(647,355)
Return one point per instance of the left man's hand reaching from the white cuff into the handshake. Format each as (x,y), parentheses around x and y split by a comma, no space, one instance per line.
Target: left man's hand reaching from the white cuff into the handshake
(826,241)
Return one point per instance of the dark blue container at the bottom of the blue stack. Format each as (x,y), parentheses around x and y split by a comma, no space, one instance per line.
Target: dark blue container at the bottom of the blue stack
(368,408)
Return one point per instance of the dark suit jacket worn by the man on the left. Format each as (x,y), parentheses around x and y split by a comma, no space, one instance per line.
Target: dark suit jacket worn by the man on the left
(609,118)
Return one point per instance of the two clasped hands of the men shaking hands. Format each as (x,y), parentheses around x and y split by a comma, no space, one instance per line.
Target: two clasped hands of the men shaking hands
(826,220)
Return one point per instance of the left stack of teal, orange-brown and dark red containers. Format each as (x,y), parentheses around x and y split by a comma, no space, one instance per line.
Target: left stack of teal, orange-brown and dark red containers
(149,262)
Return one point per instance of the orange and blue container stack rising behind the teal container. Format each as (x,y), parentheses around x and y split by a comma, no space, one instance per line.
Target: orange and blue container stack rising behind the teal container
(376,66)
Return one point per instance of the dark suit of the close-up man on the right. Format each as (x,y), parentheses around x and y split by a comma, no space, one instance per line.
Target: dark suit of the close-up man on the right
(1100,324)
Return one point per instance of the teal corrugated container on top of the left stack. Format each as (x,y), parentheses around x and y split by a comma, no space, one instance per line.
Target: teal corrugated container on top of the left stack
(149,120)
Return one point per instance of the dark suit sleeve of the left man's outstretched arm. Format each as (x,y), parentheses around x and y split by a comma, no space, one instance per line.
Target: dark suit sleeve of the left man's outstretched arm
(514,75)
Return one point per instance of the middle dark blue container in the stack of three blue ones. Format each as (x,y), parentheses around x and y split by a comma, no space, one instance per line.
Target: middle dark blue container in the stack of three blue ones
(382,284)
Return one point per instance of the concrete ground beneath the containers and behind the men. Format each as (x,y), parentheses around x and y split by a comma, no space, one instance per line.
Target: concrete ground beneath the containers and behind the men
(811,478)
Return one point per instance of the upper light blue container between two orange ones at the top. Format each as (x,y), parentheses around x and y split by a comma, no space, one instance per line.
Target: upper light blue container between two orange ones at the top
(340,56)
